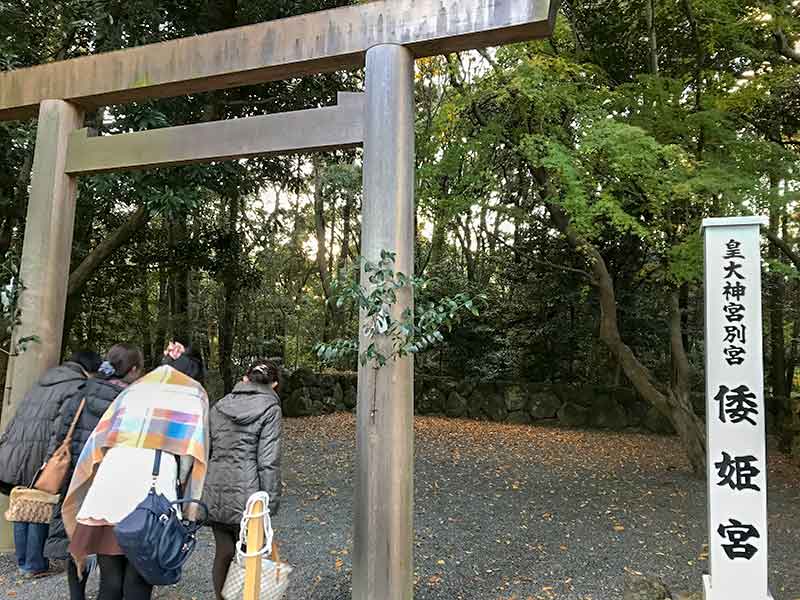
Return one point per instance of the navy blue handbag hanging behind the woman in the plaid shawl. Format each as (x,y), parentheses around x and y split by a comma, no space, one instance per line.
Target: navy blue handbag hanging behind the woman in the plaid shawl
(155,540)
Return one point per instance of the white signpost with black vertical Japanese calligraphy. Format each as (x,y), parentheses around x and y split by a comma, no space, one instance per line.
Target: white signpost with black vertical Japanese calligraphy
(737,485)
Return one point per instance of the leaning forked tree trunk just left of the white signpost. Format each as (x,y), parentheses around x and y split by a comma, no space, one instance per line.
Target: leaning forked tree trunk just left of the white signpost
(675,402)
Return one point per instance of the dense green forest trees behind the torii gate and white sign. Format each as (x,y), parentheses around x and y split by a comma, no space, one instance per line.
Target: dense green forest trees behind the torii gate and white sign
(563,180)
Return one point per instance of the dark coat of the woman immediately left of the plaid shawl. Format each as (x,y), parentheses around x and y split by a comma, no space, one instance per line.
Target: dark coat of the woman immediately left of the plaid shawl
(99,394)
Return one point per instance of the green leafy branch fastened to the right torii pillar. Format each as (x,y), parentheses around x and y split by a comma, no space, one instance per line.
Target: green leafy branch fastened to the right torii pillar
(412,333)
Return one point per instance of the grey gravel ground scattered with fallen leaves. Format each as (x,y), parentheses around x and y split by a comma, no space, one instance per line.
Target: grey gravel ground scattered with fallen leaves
(502,511)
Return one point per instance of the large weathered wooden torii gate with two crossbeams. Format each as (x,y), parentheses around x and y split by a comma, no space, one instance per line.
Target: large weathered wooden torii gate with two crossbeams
(385,36)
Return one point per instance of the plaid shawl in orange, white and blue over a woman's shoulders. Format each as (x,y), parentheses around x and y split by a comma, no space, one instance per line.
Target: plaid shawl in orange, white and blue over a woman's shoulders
(164,410)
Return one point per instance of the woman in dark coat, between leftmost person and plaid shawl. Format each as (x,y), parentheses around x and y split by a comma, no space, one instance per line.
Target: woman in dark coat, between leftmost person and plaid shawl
(123,365)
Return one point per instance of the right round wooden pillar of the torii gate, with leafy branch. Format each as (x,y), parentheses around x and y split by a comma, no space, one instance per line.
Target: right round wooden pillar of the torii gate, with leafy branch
(384,488)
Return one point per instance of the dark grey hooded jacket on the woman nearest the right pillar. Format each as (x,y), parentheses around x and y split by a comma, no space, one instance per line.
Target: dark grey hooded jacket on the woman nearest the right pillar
(245,452)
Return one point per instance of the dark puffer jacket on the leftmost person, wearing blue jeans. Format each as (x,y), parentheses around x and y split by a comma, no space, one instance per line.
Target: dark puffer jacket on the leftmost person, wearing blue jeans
(23,446)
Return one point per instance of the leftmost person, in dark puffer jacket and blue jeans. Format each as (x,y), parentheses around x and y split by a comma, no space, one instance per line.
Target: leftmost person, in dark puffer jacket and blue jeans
(23,447)
